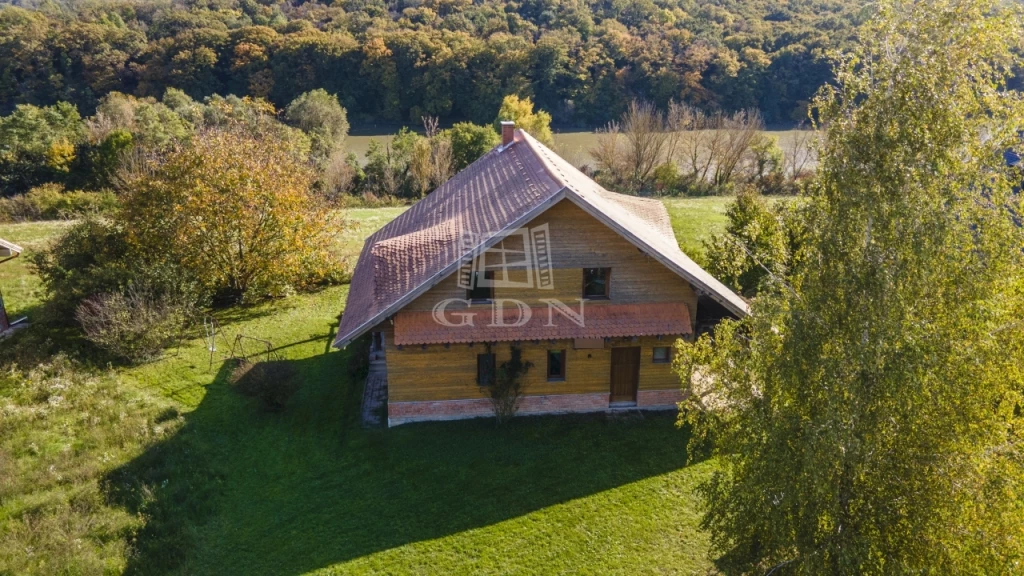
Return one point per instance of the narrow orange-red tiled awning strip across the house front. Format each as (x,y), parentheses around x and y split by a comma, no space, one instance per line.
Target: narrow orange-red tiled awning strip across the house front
(600,321)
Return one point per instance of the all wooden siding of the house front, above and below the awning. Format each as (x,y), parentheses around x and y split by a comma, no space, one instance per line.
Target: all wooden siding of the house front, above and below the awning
(436,373)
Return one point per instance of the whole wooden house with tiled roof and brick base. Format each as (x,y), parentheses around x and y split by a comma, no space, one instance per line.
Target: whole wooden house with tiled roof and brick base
(523,250)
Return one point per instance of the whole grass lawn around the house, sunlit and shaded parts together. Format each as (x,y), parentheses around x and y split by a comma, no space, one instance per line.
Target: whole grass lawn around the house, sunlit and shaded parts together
(165,470)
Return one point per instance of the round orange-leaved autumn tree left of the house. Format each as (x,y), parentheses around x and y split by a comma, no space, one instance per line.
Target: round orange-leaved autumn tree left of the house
(235,212)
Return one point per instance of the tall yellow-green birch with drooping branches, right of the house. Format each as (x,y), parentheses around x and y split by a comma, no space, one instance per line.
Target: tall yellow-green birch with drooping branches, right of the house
(870,421)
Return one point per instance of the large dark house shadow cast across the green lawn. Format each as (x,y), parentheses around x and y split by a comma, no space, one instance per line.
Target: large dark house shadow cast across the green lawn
(292,492)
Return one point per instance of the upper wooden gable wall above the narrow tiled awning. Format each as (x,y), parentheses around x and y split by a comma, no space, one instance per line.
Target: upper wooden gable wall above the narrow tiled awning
(579,241)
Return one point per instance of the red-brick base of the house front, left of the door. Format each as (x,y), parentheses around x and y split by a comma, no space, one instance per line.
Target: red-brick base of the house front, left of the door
(404,413)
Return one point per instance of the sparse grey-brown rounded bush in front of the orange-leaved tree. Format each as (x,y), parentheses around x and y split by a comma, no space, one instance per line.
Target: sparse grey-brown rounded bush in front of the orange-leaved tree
(136,325)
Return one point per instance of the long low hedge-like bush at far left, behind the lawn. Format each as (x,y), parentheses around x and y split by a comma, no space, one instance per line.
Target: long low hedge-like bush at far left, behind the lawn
(51,202)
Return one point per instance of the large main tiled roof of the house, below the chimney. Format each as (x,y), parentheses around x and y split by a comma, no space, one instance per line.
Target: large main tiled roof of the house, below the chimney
(498,194)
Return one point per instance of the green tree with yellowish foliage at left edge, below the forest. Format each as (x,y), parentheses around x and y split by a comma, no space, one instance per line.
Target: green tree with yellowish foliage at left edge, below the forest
(37,146)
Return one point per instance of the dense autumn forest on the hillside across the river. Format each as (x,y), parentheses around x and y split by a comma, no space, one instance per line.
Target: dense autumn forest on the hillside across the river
(396,62)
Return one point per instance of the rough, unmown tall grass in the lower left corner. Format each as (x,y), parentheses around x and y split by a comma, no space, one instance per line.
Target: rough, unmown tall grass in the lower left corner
(62,429)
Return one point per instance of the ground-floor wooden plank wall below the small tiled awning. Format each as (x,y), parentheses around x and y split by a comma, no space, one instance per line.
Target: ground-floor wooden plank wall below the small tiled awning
(436,373)
